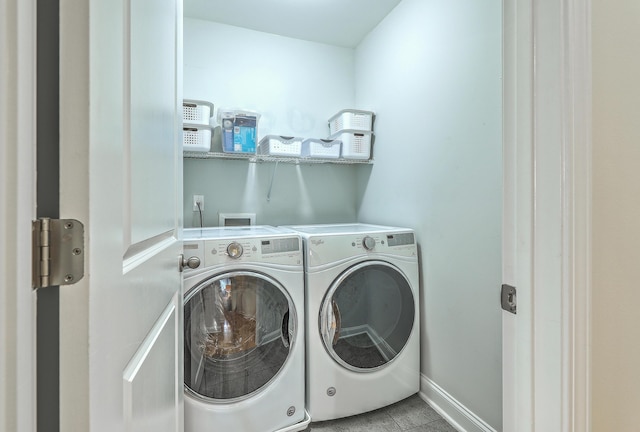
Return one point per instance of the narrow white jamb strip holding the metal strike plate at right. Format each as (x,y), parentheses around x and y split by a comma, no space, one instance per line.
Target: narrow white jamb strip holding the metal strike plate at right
(517,236)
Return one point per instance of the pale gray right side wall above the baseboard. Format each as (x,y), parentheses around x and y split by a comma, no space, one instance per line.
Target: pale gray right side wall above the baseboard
(432,73)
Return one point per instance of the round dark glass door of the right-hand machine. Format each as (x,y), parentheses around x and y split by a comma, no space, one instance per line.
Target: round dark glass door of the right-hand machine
(367,316)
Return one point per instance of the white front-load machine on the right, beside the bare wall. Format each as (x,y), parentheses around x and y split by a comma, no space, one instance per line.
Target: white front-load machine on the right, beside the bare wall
(363,341)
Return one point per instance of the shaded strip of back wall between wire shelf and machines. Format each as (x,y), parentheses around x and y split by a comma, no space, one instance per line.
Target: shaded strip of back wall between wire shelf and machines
(279,194)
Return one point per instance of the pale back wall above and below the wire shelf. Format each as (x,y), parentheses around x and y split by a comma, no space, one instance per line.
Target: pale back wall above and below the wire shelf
(296,86)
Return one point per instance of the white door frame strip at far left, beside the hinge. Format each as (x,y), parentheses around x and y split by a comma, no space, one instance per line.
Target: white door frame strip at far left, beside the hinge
(17,210)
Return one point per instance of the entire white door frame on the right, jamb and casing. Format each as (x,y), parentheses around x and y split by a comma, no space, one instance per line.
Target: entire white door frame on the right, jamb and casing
(547,214)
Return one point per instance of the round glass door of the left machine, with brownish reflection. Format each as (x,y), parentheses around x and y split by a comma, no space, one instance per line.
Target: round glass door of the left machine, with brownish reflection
(238,331)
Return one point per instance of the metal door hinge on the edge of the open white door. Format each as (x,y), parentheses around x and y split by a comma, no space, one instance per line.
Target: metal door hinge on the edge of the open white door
(58,252)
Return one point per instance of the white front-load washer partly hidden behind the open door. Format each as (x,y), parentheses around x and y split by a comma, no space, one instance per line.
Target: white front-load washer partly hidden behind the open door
(244,330)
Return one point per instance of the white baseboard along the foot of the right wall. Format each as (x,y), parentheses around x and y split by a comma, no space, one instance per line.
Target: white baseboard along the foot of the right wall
(450,409)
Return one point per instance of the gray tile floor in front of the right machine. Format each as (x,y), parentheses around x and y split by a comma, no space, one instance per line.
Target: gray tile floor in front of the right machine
(409,415)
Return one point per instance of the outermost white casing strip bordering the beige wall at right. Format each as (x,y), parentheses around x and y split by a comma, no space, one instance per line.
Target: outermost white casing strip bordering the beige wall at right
(577,138)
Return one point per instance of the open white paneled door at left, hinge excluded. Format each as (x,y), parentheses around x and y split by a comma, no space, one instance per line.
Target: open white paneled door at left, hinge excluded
(121,176)
